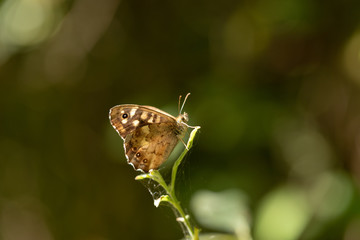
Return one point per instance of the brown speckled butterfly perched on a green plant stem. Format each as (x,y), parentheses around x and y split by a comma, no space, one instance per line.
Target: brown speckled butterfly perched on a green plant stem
(149,134)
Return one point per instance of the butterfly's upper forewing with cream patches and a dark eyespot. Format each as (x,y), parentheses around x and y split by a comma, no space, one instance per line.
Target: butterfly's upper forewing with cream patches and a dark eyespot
(126,118)
